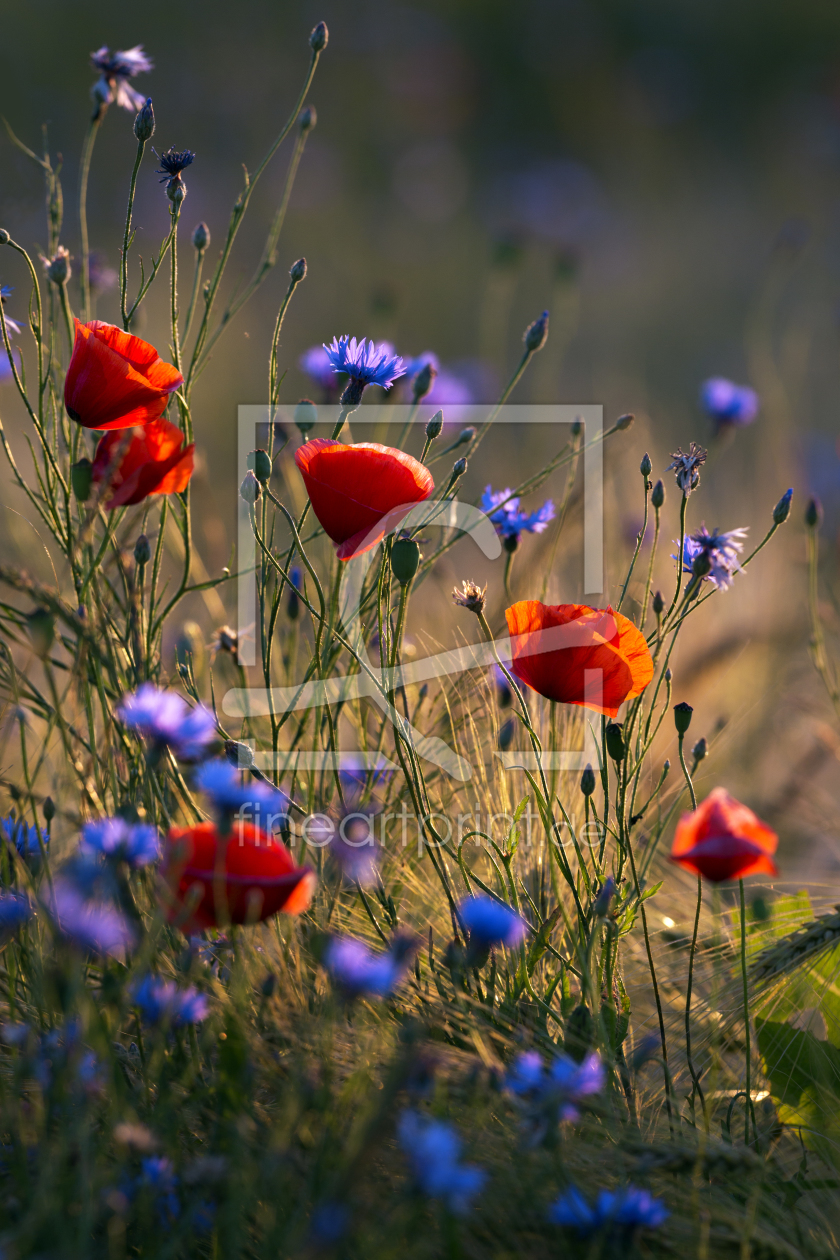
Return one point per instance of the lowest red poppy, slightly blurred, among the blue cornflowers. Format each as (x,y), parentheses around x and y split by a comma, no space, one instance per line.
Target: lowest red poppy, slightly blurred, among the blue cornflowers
(244,878)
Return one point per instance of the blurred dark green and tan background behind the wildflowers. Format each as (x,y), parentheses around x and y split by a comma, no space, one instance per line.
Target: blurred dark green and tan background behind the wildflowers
(664,178)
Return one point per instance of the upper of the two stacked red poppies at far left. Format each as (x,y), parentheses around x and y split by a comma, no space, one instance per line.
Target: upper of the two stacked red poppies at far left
(115,380)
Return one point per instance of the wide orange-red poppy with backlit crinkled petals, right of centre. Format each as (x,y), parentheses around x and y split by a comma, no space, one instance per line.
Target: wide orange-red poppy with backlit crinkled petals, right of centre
(579,656)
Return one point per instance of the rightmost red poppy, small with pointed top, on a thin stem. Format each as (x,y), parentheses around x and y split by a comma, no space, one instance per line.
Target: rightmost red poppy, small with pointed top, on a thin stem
(722,840)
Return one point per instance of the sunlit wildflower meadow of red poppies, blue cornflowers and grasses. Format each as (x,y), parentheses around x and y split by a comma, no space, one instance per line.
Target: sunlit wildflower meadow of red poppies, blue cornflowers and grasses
(346,909)
